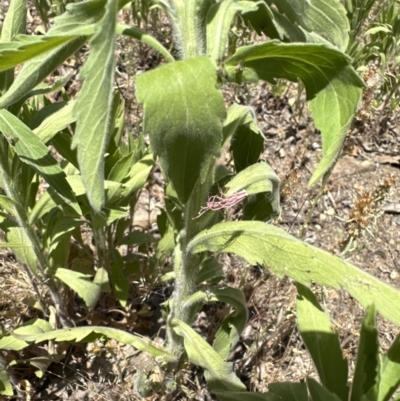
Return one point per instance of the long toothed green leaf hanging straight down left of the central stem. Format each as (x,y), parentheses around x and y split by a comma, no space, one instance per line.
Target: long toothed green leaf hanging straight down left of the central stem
(93,107)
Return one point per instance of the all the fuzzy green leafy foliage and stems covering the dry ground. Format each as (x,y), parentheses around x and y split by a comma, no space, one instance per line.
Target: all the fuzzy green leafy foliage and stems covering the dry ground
(98,172)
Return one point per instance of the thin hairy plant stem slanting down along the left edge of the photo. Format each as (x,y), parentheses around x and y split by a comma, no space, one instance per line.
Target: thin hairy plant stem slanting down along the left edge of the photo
(12,191)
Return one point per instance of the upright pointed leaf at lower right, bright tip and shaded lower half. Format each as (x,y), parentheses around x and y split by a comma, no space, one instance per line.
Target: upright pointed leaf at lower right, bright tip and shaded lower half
(322,343)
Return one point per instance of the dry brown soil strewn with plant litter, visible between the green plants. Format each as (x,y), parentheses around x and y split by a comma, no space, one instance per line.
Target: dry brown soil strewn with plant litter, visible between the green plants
(270,348)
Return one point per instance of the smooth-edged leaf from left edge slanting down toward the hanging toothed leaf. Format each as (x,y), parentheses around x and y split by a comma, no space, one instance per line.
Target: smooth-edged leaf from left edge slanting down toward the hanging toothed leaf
(34,153)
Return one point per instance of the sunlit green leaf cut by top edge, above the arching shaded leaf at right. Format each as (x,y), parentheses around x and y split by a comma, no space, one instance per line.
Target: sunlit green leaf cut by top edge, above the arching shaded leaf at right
(325,17)
